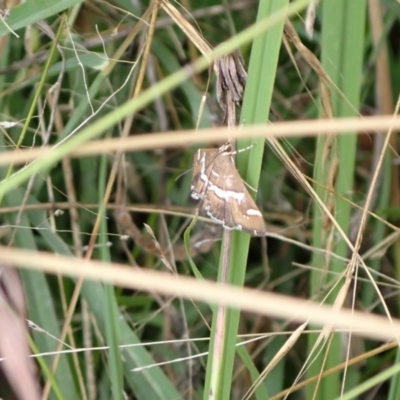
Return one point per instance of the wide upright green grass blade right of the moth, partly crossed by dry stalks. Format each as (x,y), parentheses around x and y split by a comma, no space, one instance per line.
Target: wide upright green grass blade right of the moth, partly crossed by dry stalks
(342,56)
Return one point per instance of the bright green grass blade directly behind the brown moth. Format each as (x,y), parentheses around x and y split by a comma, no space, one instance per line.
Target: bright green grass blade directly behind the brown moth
(257,98)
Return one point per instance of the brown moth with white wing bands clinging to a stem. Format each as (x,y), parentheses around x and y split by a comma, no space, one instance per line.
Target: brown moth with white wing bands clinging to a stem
(218,184)
